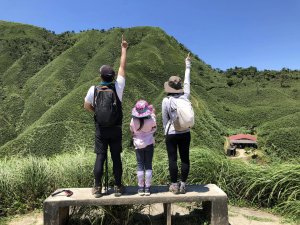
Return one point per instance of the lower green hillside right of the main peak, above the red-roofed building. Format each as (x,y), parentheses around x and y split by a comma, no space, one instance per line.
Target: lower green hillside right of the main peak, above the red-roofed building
(270,111)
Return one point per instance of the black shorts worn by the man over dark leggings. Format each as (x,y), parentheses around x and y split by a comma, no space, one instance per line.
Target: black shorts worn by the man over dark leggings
(108,136)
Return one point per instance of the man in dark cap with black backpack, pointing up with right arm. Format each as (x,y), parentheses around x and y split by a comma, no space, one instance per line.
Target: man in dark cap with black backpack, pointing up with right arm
(108,123)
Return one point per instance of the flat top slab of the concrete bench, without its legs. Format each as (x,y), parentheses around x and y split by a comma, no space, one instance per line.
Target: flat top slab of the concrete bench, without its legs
(159,194)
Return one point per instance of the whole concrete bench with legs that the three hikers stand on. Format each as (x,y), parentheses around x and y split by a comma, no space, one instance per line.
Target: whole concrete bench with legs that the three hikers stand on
(214,201)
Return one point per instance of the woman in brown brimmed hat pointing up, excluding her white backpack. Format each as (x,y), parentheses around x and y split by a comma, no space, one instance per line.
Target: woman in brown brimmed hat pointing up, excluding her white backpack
(177,140)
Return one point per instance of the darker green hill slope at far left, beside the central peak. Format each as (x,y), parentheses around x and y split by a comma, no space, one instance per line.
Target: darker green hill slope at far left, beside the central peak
(24,51)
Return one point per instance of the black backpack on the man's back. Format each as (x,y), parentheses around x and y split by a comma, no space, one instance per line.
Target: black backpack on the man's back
(108,109)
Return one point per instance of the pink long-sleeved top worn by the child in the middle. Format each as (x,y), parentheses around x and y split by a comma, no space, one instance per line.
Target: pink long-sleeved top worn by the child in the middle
(143,137)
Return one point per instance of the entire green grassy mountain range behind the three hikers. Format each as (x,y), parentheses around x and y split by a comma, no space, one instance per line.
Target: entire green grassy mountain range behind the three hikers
(44,78)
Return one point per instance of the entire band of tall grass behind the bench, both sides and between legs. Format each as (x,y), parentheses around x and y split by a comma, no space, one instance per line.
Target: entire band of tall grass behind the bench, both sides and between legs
(26,182)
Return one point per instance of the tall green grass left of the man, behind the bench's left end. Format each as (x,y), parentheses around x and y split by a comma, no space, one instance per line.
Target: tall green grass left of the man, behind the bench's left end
(26,182)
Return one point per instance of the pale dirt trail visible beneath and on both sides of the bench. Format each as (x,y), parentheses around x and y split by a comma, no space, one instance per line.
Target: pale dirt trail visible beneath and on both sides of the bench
(237,216)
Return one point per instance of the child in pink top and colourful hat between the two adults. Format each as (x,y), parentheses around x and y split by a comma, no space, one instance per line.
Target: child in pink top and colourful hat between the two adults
(142,127)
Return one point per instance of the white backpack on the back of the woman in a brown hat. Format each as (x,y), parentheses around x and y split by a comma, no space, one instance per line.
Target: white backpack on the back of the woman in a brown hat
(185,117)
